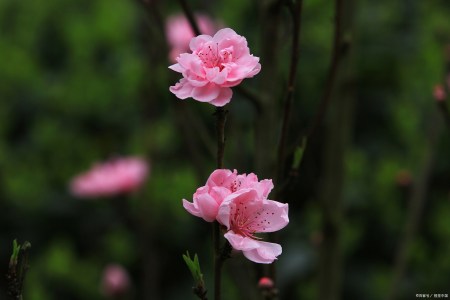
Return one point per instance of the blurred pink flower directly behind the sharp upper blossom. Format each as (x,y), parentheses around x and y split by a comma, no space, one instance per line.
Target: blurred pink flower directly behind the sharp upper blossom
(179,33)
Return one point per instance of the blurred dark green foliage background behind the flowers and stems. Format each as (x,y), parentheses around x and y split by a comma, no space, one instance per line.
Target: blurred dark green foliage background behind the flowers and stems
(83,81)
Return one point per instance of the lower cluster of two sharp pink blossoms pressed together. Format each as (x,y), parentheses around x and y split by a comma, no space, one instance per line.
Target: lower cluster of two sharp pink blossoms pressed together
(239,203)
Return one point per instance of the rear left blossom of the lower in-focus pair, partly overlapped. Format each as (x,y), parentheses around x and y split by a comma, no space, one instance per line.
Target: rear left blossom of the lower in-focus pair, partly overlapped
(220,184)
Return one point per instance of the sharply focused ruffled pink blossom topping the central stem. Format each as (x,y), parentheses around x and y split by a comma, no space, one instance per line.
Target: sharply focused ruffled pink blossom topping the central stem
(215,64)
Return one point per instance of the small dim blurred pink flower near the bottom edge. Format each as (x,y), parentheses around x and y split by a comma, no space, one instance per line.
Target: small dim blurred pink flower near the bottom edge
(115,281)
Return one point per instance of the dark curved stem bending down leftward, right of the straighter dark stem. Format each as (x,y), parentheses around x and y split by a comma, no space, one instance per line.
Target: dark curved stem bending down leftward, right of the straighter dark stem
(335,59)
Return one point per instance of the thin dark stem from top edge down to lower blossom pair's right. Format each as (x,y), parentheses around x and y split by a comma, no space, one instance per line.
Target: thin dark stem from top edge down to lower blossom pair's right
(296,12)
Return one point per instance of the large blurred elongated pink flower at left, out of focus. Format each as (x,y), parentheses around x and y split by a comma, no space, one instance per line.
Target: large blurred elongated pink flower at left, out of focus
(121,175)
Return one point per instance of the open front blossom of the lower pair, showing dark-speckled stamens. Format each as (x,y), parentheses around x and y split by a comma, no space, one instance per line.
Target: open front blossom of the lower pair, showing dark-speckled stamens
(245,213)
